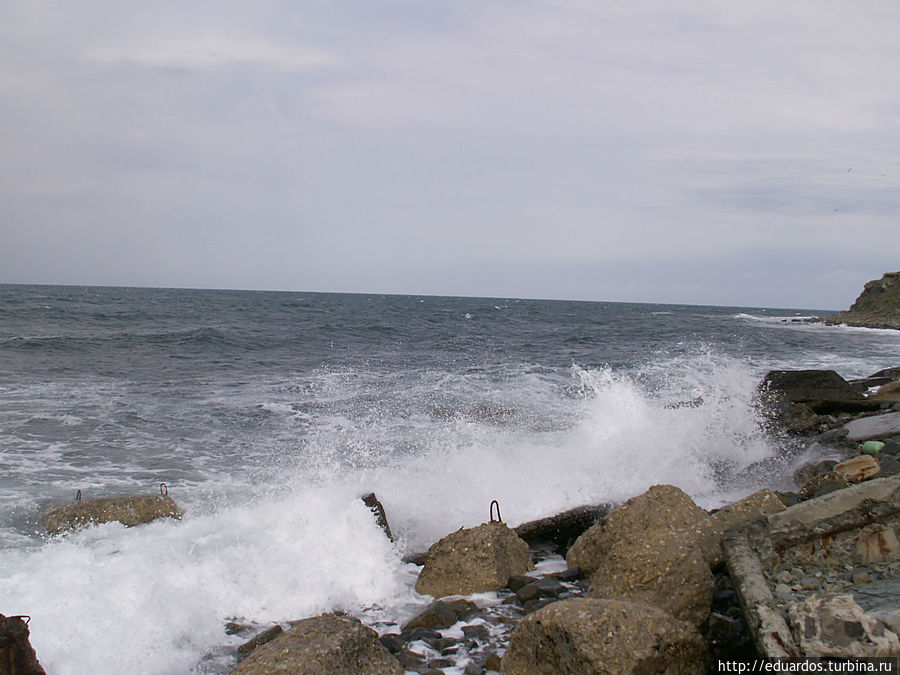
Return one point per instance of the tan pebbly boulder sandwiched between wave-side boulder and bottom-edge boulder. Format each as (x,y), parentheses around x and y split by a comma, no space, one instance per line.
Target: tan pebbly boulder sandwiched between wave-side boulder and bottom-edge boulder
(665,568)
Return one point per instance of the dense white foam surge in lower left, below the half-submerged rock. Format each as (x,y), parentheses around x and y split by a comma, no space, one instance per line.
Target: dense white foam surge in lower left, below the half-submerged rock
(154,599)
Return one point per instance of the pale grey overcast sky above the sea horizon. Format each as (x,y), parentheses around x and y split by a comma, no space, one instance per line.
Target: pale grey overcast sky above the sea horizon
(694,152)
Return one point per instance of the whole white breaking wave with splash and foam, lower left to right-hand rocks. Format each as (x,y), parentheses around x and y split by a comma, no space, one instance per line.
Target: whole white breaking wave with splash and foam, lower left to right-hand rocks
(290,538)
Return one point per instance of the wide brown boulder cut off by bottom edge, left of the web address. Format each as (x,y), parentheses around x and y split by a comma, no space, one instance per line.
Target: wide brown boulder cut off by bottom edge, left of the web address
(594,637)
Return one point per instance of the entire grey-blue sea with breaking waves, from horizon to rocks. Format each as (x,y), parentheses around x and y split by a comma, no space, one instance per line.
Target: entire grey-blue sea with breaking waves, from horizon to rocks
(268,414)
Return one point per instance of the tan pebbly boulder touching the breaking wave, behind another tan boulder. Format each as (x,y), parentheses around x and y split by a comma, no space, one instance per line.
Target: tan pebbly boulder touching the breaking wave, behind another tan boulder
(662,507)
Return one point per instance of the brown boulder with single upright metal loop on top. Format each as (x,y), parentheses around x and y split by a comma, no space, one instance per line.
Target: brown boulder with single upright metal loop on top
(474,560)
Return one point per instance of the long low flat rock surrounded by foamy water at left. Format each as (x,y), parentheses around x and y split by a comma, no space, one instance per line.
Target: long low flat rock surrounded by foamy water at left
(130,511)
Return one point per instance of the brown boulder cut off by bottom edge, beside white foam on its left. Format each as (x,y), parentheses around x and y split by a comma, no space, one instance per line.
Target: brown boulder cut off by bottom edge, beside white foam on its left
(324,644)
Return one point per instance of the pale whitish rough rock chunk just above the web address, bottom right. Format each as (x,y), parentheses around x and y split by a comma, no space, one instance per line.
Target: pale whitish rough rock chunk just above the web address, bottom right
(834,625)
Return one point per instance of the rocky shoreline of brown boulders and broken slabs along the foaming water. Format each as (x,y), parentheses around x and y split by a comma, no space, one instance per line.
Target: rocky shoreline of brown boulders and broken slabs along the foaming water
(645,586)
